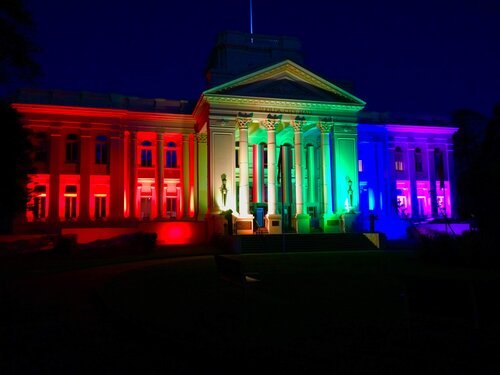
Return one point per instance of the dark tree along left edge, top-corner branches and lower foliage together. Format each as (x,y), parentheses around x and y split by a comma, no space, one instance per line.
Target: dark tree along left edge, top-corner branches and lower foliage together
(16,65)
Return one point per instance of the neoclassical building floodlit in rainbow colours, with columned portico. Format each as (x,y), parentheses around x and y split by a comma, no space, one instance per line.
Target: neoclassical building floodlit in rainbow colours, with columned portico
(269,147)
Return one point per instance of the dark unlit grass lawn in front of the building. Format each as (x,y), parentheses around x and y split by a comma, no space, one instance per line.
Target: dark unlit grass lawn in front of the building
(351,312)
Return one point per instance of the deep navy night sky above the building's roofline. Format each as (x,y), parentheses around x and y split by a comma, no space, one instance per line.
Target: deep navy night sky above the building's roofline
(401,56)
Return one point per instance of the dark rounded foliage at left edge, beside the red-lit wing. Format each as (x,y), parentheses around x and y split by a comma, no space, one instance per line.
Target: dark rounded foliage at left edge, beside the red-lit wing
(15,164)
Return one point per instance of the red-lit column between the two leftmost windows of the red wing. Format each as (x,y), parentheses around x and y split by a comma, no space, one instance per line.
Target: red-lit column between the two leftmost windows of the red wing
(55,170)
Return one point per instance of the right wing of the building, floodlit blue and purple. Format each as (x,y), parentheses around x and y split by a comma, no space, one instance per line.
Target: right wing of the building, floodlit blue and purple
(400,177)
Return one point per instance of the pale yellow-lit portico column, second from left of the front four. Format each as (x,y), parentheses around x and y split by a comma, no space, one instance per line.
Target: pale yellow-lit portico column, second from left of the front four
(273,221)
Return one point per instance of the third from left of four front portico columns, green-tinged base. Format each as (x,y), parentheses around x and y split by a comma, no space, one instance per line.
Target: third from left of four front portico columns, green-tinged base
(301,218)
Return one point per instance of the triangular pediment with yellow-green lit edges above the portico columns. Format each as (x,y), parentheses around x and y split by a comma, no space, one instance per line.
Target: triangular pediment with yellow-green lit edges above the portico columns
(288,81)
